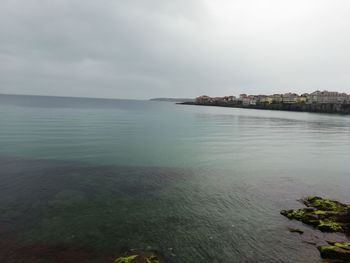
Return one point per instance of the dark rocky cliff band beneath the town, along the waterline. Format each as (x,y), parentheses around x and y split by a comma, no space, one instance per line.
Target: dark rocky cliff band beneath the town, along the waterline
(332,108)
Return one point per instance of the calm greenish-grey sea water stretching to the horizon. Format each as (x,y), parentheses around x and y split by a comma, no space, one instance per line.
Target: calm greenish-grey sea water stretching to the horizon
(198,184)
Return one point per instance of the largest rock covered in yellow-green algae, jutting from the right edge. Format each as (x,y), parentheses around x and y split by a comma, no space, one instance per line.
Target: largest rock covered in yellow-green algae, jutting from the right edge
(324,214)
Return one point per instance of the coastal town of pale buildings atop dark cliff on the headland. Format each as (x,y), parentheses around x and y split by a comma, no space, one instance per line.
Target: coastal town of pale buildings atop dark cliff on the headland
(318,101)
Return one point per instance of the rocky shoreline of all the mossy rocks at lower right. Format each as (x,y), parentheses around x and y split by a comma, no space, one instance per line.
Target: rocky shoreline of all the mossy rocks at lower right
(327,216)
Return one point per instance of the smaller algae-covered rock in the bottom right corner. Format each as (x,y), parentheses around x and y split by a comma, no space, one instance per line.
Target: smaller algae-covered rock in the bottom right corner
(336,250)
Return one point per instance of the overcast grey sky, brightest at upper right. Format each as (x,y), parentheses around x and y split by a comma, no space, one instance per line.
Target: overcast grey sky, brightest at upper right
(139,49)
